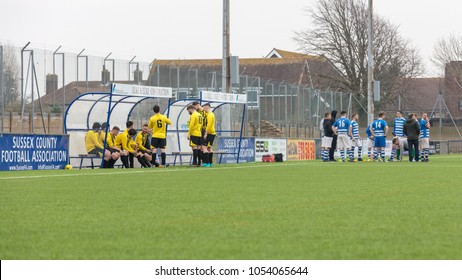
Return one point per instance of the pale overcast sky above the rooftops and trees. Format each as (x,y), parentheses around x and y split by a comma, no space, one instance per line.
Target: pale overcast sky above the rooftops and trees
(192,28)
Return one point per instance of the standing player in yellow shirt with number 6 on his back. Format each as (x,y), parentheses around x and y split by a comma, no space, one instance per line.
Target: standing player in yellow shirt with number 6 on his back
(158,124)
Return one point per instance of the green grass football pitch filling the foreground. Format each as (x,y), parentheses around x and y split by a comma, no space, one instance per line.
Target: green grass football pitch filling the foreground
(293,210)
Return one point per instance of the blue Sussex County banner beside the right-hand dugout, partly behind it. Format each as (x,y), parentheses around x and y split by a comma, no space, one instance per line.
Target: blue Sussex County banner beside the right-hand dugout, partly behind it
(231,145)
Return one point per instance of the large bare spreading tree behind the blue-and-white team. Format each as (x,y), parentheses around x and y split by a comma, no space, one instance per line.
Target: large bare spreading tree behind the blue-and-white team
(339,34)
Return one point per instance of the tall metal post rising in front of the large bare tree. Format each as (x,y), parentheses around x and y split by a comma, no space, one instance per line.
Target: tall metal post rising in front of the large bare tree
(370,65)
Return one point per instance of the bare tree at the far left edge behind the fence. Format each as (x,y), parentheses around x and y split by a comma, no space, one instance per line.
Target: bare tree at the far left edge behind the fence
(11,75)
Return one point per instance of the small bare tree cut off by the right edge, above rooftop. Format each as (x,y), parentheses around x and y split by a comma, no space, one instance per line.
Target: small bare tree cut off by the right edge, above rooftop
(447,51)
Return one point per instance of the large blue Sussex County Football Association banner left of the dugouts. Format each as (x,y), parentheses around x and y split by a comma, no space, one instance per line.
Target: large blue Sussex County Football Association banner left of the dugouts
(33,152)
